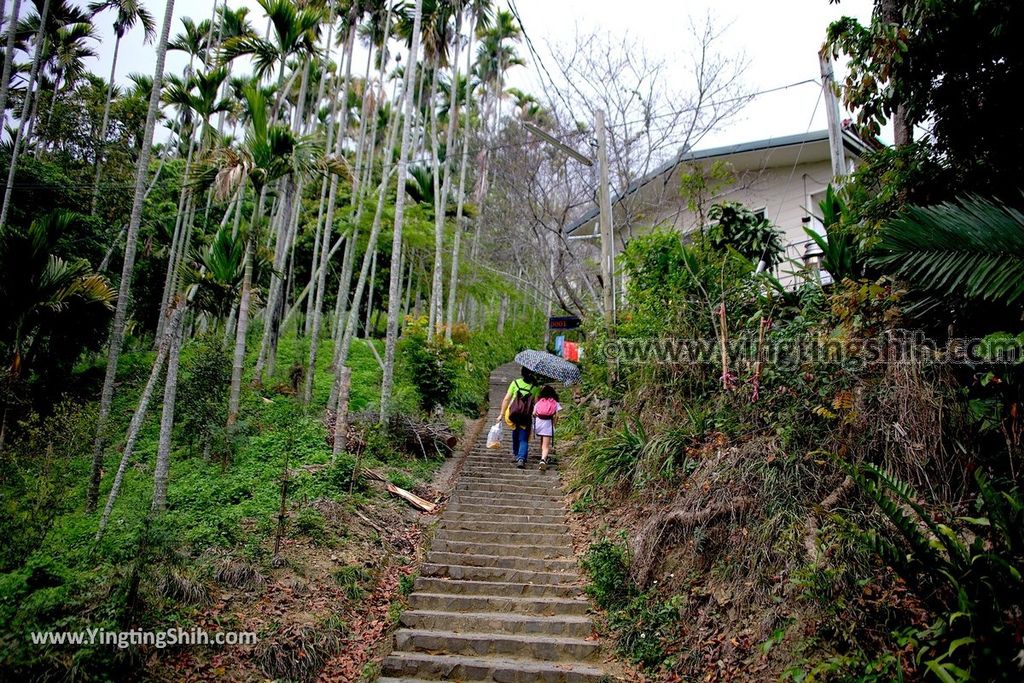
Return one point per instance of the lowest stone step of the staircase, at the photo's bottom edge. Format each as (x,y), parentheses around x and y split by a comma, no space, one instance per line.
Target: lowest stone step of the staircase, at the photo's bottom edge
(461,668)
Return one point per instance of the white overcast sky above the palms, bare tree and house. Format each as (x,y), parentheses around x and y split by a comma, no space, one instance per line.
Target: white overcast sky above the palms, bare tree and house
(780,39)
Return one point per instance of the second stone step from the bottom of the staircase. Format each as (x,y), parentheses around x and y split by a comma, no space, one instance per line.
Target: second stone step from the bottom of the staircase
(546,649)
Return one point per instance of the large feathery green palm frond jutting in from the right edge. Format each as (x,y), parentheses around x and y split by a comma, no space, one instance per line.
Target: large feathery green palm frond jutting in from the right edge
(972,249)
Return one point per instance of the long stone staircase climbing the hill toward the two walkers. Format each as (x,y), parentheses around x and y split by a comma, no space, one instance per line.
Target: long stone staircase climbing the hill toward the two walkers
(499,597)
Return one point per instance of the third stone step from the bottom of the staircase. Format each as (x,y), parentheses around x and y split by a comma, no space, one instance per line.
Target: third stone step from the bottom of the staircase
(503,623)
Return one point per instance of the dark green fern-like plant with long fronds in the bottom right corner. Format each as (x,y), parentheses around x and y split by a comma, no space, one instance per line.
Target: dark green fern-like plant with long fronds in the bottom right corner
(971,575)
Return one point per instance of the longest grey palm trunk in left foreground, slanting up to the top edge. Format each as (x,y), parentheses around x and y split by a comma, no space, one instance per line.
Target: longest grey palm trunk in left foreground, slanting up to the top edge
(121,312)
